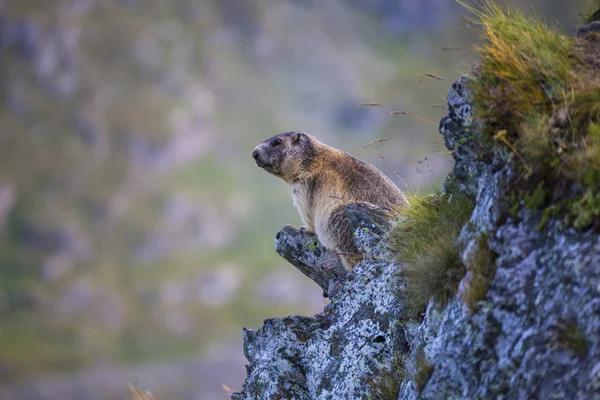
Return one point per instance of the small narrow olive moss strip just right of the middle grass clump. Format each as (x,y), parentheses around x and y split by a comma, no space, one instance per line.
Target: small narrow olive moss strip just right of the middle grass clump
(482,269)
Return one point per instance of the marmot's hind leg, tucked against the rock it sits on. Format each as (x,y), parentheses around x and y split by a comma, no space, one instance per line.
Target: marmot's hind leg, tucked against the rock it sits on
(341,234)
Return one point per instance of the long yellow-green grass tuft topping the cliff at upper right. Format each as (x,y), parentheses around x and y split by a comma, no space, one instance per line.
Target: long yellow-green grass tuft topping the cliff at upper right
(523,65)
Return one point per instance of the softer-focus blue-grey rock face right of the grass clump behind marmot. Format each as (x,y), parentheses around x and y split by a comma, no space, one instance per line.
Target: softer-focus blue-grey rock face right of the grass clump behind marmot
(537,332)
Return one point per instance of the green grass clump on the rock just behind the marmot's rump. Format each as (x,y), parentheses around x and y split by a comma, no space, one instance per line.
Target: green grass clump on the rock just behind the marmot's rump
(424,241)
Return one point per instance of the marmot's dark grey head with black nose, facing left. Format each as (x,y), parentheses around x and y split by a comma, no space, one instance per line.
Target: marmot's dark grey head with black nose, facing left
(286,155)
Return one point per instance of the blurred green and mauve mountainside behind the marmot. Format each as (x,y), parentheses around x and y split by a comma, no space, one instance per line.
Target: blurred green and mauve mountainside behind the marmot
(136,232)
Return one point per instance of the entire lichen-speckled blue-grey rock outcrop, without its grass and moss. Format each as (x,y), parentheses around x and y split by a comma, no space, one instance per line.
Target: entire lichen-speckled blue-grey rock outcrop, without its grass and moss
(535,335)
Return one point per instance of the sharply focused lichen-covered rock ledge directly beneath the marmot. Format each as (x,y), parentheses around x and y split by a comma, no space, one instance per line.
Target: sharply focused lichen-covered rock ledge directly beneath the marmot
(335,354)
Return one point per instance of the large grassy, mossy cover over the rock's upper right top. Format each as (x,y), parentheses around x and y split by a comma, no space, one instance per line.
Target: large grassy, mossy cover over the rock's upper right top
(537,94)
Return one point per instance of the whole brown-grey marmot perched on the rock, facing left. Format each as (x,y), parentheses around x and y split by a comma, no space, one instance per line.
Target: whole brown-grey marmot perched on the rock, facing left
(324,180)
